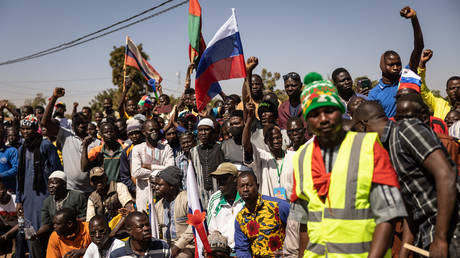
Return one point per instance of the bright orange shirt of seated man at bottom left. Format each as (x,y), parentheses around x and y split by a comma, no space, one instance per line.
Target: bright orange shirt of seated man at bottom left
(58,246)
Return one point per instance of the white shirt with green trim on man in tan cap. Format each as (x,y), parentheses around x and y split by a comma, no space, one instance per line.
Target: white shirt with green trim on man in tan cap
(220,214)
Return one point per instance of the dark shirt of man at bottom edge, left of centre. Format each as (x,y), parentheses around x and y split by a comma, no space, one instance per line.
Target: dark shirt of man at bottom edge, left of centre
(157,249)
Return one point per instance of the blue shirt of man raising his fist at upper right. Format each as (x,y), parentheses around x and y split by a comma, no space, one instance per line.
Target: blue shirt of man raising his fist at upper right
(385,94)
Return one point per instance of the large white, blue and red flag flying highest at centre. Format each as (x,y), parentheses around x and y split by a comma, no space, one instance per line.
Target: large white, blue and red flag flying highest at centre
(222,60)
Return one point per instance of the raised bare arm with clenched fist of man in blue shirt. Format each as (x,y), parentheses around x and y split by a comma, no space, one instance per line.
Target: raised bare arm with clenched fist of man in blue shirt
(410,13)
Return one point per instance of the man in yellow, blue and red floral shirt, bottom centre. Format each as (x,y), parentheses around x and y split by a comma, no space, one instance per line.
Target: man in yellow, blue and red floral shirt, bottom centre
(260,225)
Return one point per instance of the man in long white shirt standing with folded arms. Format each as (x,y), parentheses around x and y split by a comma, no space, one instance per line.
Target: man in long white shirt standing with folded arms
(149,158)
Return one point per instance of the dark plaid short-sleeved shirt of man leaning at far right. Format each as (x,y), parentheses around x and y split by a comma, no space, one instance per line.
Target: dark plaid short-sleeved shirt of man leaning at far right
(410,142)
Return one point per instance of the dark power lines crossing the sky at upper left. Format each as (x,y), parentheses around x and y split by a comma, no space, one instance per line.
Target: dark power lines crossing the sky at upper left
(78,41)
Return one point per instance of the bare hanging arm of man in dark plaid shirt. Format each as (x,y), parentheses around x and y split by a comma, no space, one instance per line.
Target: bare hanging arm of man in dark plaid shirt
(445,177)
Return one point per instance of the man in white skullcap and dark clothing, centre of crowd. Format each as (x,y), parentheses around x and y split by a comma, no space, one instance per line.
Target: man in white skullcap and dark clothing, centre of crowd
(205,158)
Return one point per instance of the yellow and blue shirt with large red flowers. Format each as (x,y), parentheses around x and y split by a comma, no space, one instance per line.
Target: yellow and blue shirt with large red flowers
(261,233)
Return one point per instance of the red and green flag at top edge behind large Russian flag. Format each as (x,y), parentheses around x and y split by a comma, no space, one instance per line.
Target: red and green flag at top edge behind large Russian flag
(197,45)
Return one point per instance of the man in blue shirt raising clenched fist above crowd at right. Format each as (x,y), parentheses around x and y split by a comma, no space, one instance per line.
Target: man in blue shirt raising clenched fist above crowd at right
(390,64)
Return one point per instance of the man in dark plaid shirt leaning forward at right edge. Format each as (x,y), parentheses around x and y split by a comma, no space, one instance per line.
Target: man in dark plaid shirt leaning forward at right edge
(427,176)
